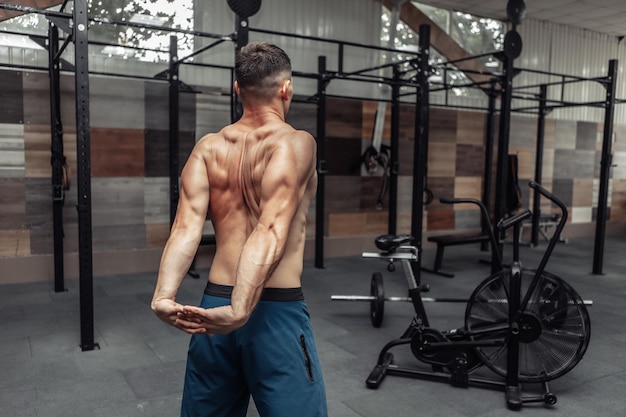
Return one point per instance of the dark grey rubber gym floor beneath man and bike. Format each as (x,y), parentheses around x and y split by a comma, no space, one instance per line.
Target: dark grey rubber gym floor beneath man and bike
(139,367)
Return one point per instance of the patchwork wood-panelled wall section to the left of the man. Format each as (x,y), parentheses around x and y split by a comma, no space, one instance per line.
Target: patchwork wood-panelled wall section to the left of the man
(129,165)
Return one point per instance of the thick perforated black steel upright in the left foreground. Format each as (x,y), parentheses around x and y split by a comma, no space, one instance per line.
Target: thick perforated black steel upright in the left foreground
(83,150)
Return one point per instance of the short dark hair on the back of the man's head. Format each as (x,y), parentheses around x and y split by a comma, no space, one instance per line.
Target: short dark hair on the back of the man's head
(257,66)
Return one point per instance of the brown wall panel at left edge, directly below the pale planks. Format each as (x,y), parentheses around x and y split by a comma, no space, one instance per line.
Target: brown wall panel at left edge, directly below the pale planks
(12,204)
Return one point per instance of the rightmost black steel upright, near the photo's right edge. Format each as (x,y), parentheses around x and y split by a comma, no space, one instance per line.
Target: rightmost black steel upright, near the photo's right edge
(605,168)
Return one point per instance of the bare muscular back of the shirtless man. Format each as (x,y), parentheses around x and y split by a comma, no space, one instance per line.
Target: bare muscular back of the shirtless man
(239,160)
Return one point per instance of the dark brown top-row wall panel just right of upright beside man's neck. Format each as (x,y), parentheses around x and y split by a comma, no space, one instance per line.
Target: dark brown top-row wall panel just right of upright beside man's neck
(344,118)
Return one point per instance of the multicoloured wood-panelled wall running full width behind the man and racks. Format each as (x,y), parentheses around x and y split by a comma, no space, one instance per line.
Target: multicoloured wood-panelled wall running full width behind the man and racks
(129,161)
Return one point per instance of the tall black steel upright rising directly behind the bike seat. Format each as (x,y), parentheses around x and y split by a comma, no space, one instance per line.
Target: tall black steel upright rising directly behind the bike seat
(419,149)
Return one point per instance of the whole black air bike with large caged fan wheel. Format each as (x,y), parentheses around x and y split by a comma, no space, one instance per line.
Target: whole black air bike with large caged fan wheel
(525,325)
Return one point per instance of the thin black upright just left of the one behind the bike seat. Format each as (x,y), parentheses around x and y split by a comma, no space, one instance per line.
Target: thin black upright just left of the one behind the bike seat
(395,144)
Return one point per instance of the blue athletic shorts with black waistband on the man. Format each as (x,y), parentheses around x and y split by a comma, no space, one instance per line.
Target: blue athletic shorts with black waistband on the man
(272,357)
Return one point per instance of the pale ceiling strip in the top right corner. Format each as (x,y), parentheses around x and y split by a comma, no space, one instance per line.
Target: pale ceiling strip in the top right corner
(605,16)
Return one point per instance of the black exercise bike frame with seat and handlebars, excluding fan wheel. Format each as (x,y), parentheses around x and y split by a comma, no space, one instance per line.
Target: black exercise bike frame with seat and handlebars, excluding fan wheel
(462,342)
